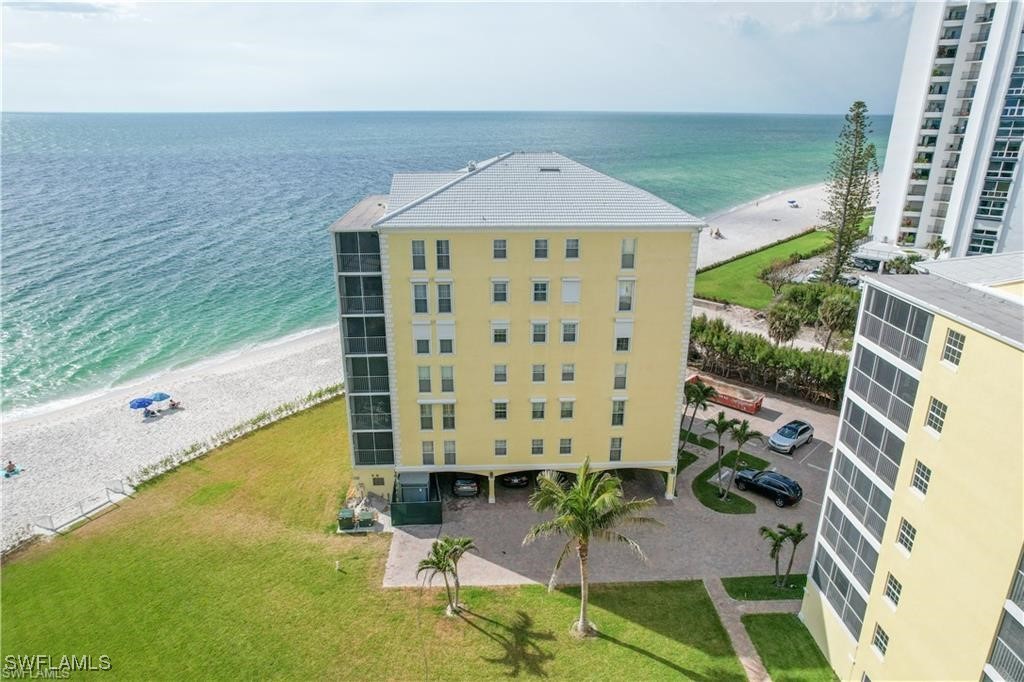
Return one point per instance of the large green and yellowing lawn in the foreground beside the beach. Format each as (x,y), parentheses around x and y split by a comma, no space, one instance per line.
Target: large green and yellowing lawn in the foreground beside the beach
(224,570)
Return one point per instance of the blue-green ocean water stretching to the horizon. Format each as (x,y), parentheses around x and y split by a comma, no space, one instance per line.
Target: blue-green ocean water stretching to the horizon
(136,244)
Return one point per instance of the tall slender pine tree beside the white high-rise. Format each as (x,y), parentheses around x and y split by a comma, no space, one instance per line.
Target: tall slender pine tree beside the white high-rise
(854,179)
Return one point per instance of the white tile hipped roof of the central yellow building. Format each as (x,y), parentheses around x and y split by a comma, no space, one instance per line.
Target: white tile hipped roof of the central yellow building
(528,190)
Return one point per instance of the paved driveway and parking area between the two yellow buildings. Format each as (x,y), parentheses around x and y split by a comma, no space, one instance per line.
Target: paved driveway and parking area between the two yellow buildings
(694,543)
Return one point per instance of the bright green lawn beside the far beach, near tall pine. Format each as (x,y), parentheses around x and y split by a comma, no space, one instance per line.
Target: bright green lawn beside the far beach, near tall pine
(737,282)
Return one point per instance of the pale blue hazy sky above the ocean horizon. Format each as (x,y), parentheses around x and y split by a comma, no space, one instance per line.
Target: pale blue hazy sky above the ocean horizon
(754,58)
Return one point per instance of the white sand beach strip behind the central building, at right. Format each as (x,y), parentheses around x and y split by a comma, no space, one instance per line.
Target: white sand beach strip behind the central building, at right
(759,223)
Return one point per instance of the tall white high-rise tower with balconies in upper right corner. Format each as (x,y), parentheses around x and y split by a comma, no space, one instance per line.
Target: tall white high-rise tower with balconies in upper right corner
(953,164)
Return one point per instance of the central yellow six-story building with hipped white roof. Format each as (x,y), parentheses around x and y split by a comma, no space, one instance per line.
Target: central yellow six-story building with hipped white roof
(519,315)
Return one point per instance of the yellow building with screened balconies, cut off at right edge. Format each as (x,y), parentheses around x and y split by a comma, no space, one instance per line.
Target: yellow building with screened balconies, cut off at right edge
(918,572)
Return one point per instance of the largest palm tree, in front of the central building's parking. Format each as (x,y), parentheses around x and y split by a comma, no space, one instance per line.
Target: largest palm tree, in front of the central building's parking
(590,508)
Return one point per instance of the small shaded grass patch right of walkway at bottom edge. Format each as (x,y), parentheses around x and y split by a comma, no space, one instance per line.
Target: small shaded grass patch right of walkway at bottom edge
(787,649)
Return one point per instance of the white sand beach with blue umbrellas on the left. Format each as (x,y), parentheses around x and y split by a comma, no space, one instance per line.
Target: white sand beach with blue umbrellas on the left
(69,454)
